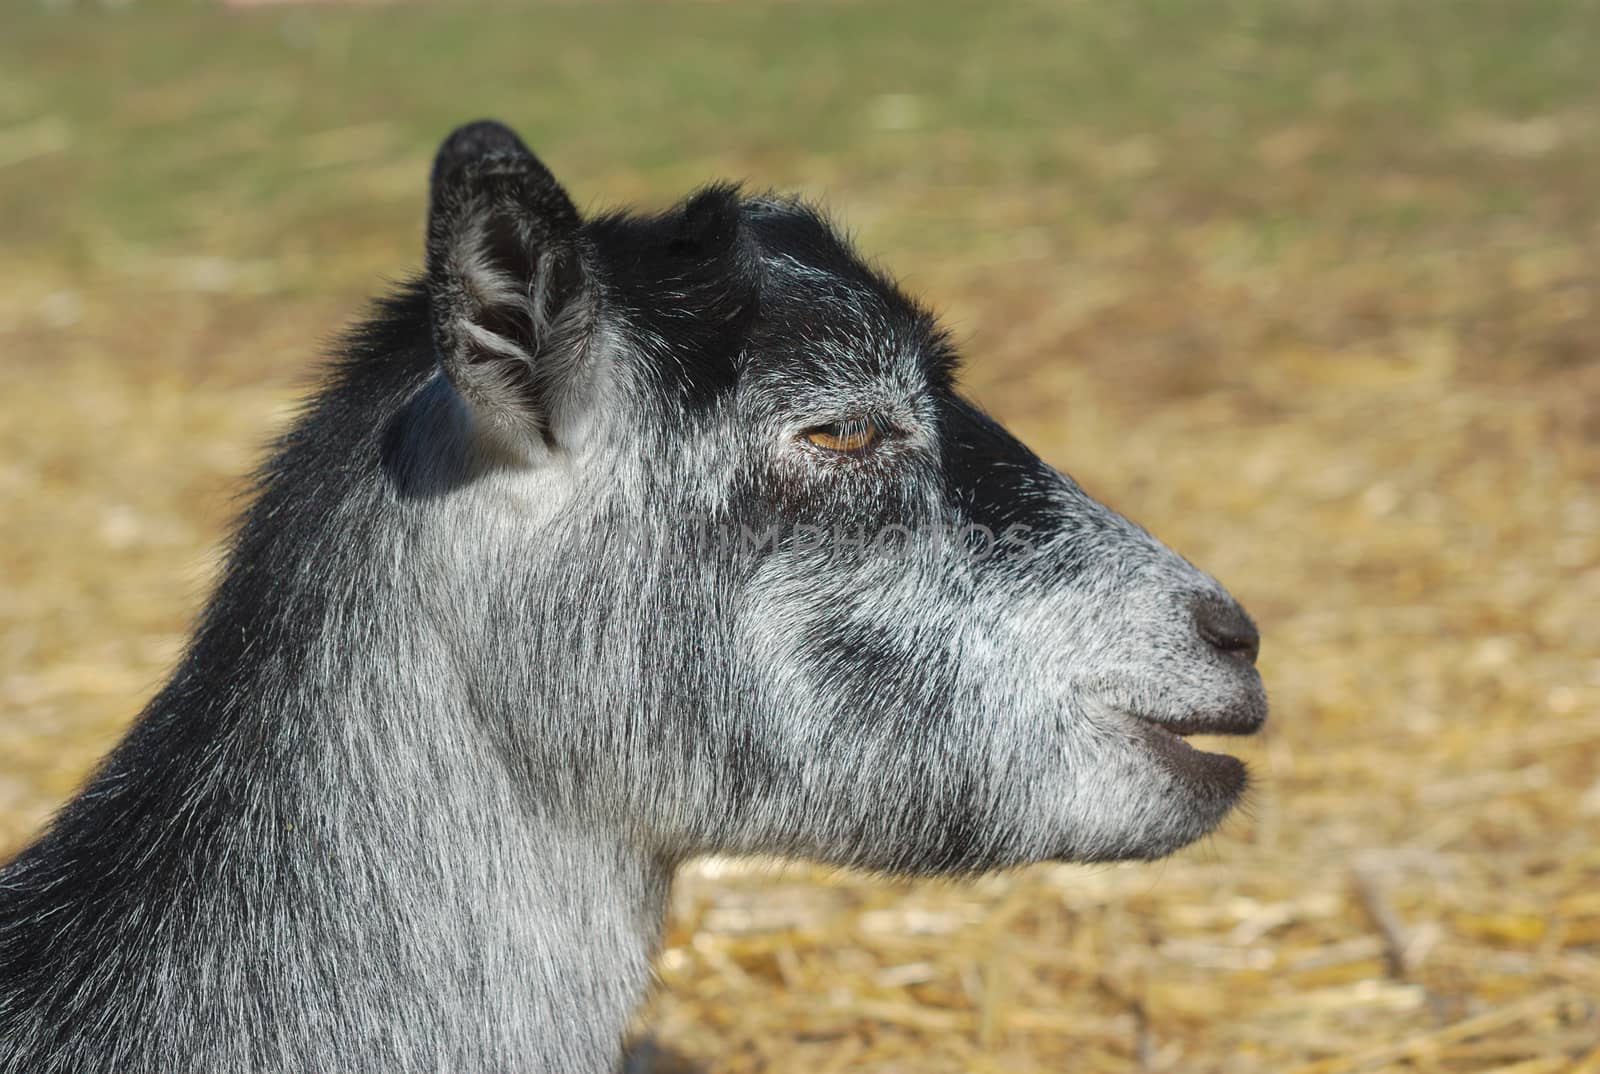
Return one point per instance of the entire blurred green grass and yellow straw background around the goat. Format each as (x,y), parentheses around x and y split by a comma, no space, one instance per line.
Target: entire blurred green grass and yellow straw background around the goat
(1310,287)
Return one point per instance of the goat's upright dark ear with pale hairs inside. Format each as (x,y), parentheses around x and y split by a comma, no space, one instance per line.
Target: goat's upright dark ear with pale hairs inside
(513,299)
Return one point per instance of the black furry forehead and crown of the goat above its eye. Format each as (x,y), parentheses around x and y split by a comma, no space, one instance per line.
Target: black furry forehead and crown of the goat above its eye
(727,289)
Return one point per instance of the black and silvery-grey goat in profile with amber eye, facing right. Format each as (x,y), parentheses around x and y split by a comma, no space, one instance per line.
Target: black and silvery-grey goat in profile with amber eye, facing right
(607,543)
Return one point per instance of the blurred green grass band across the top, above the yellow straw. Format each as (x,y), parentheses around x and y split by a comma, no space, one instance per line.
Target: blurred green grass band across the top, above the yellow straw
(279,132)
